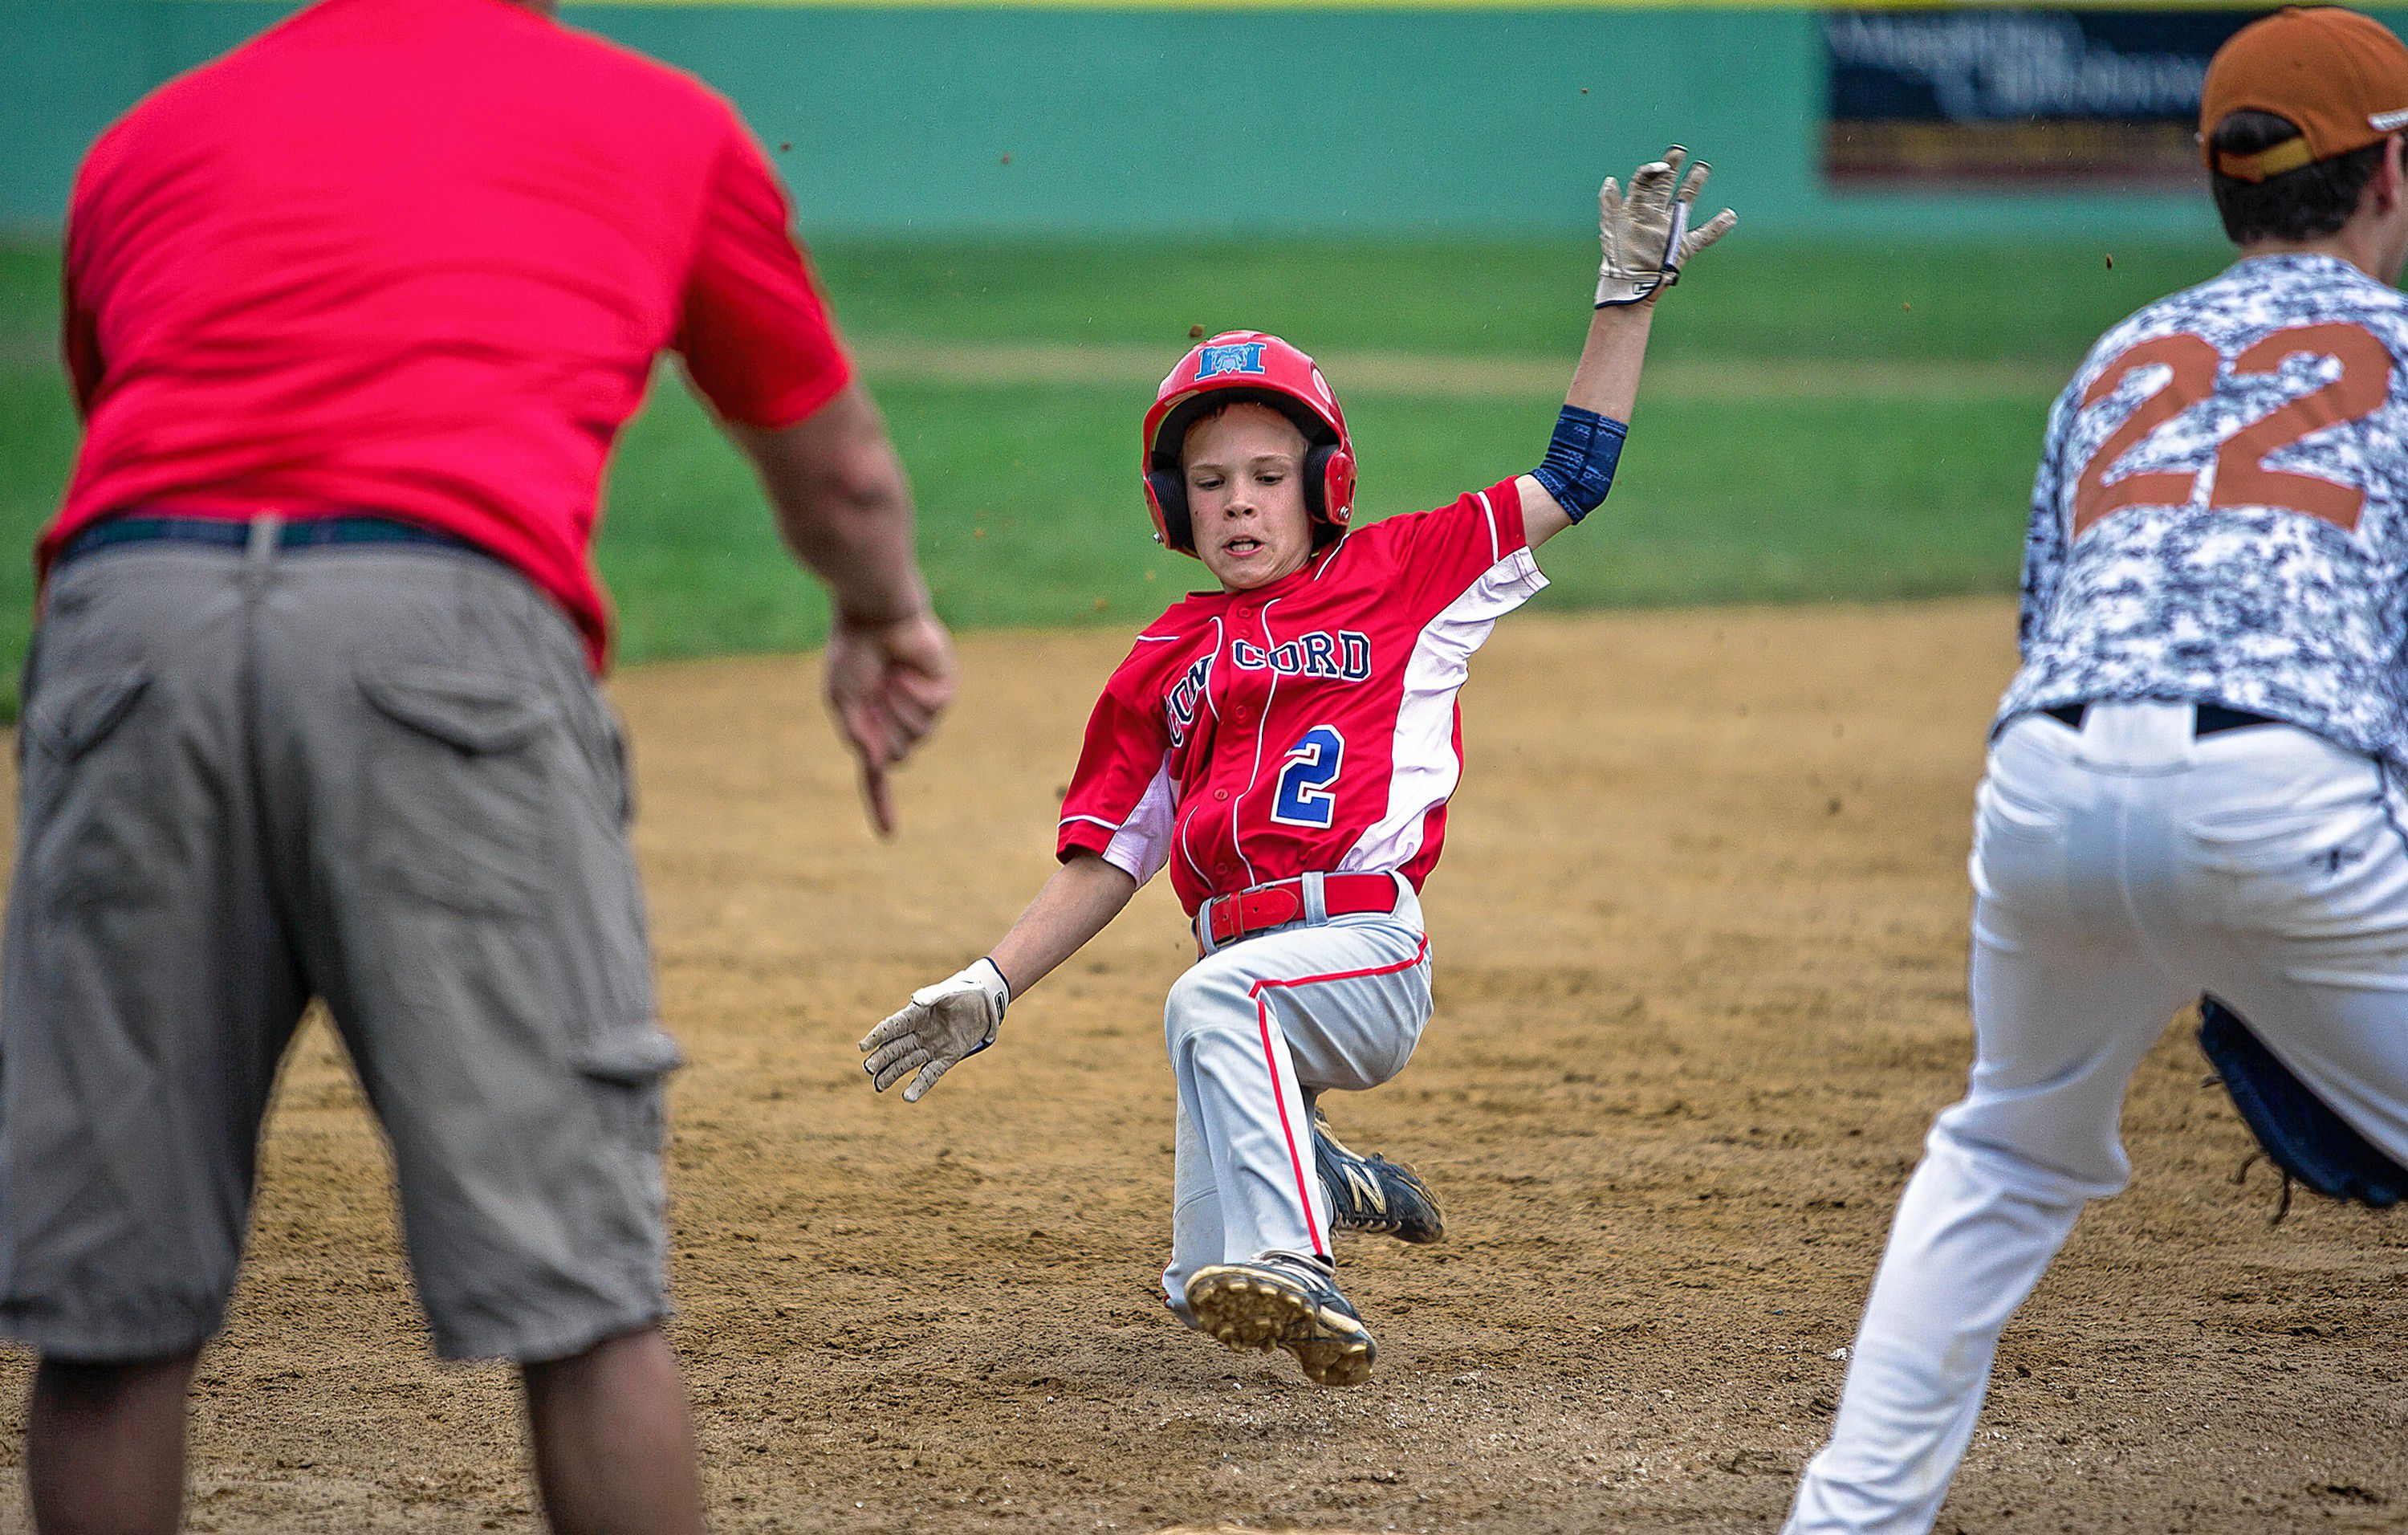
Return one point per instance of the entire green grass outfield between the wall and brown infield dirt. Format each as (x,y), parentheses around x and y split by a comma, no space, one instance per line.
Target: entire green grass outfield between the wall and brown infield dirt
(1730,490)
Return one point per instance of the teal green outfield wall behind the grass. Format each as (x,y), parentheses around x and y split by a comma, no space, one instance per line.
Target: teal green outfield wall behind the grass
(1087,119)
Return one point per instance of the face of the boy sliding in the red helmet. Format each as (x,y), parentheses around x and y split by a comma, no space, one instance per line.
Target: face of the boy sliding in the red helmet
(1246,498)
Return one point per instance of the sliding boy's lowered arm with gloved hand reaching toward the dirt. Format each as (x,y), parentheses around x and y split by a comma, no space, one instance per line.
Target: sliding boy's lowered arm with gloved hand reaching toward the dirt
(948,1023)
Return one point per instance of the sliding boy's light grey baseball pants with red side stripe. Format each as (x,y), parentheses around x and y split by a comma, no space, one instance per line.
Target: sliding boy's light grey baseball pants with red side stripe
(1258,1025)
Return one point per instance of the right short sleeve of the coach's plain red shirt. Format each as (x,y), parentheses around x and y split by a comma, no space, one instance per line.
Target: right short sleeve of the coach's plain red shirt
(755,329)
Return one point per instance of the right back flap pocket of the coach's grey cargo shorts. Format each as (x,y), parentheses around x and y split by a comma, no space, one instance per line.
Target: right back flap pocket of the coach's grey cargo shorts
(461,787)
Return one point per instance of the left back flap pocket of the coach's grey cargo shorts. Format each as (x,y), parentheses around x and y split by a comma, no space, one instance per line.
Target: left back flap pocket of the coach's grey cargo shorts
(90,796)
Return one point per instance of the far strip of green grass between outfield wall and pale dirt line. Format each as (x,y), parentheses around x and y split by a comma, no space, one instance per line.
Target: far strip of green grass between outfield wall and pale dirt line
(1513,298)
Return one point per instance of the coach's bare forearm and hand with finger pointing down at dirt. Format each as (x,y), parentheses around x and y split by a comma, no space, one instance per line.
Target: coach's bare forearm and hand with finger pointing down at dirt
(844,510)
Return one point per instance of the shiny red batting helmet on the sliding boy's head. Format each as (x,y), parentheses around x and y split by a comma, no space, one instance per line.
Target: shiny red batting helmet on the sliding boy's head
(1246,367)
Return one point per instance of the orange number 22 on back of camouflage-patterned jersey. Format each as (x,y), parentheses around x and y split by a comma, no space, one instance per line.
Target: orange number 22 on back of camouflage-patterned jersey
(2241,464)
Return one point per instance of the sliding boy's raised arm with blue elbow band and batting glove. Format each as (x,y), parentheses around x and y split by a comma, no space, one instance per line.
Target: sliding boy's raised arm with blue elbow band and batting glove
(1646,242)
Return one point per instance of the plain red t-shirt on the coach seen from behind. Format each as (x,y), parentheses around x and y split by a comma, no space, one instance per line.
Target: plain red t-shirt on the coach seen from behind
(418,259)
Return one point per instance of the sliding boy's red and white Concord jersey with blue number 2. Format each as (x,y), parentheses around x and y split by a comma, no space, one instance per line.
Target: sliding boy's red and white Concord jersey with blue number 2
(1304,727)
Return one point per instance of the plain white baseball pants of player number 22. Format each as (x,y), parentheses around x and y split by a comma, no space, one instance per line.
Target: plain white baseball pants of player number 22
(2120,874)
